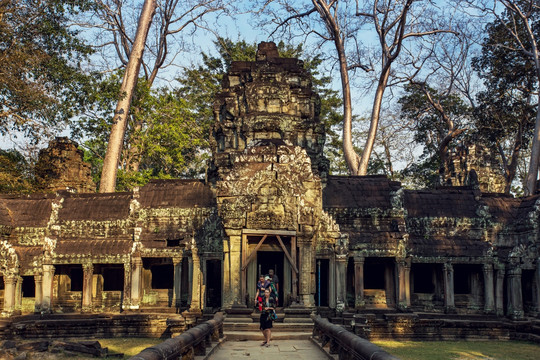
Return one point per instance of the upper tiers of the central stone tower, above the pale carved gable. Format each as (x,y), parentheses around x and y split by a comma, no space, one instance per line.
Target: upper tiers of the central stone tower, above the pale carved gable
(267,100)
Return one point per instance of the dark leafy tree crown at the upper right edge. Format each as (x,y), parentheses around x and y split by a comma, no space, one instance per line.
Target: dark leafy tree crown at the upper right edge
(505,113)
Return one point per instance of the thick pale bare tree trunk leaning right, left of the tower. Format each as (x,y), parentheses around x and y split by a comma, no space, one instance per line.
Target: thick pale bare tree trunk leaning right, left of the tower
(118,130)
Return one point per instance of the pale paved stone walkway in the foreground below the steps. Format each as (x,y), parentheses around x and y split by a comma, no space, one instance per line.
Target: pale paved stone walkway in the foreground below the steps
(280,349)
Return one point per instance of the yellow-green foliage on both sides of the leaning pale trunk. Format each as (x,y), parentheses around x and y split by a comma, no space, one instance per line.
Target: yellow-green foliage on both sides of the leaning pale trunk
(164,138)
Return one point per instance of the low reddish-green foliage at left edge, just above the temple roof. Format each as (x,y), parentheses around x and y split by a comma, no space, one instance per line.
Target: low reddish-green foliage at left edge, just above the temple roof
(15,174)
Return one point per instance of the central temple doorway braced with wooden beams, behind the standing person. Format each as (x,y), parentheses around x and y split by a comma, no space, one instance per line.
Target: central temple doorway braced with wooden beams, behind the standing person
(263,250)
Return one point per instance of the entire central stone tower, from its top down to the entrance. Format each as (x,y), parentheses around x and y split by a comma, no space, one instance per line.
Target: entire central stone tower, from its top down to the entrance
(267,166)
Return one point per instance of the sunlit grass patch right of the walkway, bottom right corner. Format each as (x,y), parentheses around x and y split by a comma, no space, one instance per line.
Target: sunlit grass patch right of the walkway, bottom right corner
(461,350)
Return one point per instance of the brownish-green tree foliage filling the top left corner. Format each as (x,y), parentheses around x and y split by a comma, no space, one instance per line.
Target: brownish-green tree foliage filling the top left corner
(42,83)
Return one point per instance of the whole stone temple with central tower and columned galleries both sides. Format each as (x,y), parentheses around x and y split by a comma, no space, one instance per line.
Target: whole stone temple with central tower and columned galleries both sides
(338,243)
